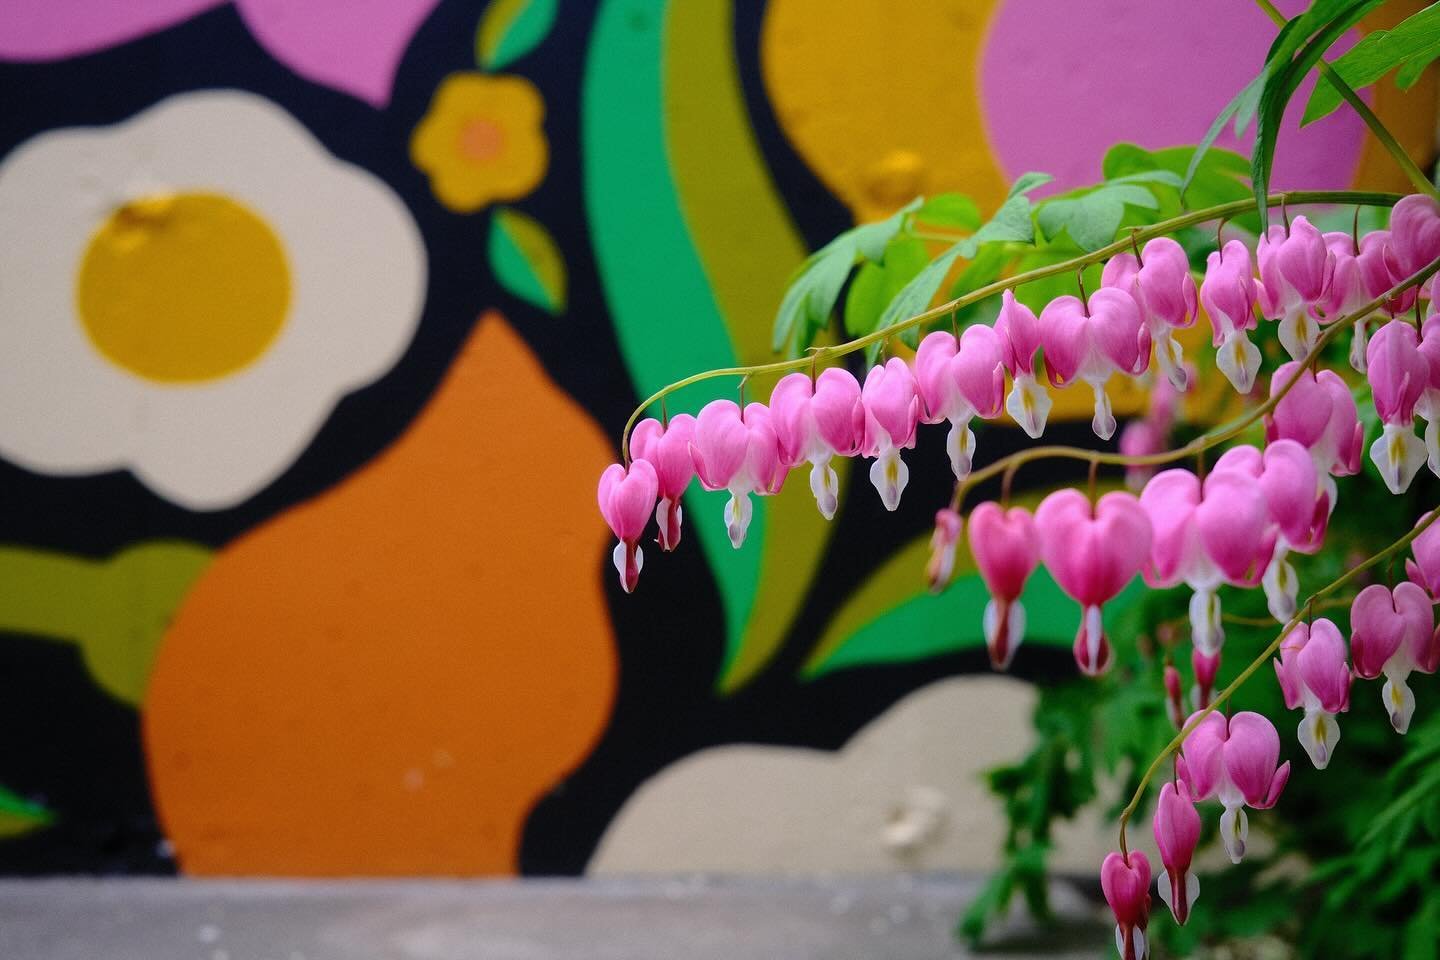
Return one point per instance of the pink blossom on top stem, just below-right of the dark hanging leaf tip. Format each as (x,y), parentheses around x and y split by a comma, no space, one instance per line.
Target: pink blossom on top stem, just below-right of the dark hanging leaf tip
(1295,279)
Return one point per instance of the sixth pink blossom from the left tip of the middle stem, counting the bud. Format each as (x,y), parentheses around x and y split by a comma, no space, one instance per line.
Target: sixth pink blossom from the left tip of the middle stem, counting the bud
(1320,415)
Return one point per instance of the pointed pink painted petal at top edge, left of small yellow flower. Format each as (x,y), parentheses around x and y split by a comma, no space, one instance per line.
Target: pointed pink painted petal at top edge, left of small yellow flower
(354,47)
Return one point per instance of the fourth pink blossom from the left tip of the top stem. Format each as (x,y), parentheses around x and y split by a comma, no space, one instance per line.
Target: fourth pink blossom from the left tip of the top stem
(816,421)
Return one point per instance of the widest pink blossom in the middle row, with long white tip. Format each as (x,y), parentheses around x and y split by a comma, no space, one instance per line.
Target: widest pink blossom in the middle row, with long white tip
(1206,535)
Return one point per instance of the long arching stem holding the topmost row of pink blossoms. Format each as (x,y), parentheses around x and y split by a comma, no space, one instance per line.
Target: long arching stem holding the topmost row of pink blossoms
(1223,211)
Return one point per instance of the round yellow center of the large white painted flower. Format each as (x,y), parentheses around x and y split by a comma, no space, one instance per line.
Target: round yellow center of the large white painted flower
(185,287)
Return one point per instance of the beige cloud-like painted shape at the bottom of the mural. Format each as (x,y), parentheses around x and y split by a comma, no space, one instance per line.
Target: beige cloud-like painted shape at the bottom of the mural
(760,810)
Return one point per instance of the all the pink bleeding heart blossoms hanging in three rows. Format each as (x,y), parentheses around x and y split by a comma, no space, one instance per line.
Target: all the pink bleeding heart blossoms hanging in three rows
(1233,525)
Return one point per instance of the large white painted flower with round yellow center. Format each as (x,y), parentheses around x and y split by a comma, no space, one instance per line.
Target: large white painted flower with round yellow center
(84,394)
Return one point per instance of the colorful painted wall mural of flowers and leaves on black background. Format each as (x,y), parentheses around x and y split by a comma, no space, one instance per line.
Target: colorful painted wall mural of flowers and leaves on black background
(319,322)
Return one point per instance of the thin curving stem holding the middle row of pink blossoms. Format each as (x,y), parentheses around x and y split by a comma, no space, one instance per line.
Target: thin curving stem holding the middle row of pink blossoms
(1205,441)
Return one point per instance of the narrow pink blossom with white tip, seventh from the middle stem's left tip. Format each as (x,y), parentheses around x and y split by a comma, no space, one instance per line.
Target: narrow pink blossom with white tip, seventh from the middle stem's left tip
(1399,375)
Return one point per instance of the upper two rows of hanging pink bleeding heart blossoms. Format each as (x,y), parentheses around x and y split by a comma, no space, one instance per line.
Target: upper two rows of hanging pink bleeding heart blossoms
(1236,527)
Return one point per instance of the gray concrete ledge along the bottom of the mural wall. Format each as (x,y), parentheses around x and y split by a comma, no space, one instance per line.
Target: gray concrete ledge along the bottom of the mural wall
(613,919)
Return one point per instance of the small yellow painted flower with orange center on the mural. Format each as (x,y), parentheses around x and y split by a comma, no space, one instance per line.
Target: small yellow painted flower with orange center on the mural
(482,140)
